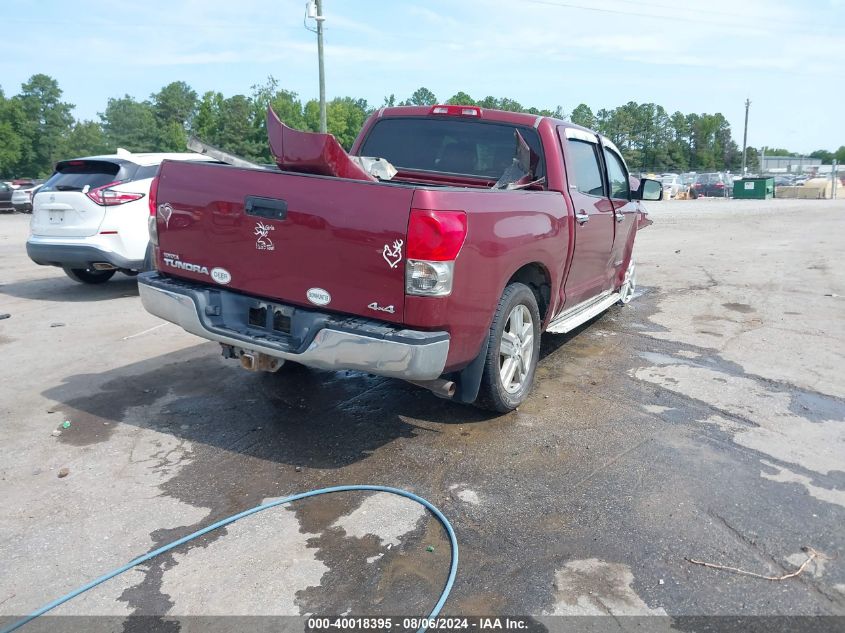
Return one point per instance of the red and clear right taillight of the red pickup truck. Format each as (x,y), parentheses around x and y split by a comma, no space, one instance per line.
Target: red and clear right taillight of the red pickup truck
(434,240)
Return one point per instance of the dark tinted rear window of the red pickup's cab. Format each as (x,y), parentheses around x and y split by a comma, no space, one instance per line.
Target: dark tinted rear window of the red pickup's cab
(472,148)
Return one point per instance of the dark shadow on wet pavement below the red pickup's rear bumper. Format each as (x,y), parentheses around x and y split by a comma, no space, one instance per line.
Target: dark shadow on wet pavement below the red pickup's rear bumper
(300,416)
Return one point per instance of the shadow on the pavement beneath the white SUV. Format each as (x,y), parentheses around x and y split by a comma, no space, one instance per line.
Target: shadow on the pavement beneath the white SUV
(62,289)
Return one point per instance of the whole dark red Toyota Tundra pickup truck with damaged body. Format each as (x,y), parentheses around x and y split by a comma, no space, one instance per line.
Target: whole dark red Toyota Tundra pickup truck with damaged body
(436,251)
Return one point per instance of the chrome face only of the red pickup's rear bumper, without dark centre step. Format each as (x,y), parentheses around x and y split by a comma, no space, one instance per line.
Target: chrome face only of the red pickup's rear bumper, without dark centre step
(417,356)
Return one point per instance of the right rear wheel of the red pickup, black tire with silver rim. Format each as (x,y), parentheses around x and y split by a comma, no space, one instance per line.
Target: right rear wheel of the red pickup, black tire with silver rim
(517,304)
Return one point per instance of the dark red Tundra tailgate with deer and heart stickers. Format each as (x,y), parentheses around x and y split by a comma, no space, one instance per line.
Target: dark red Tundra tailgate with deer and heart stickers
(321,242)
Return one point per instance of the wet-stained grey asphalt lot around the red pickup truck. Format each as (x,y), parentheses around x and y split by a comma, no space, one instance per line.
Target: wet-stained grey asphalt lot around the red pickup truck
(706,420)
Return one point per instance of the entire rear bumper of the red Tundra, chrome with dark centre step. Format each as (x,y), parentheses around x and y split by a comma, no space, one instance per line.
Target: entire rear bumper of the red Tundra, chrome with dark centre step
(315,339)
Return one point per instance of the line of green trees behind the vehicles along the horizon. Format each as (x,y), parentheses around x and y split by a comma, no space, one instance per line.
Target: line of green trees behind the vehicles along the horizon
(37,128)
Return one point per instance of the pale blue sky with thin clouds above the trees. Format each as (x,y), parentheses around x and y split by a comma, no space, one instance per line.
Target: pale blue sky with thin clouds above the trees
(787,57)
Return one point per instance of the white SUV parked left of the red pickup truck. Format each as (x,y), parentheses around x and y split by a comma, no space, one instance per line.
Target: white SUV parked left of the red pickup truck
(90,217)
